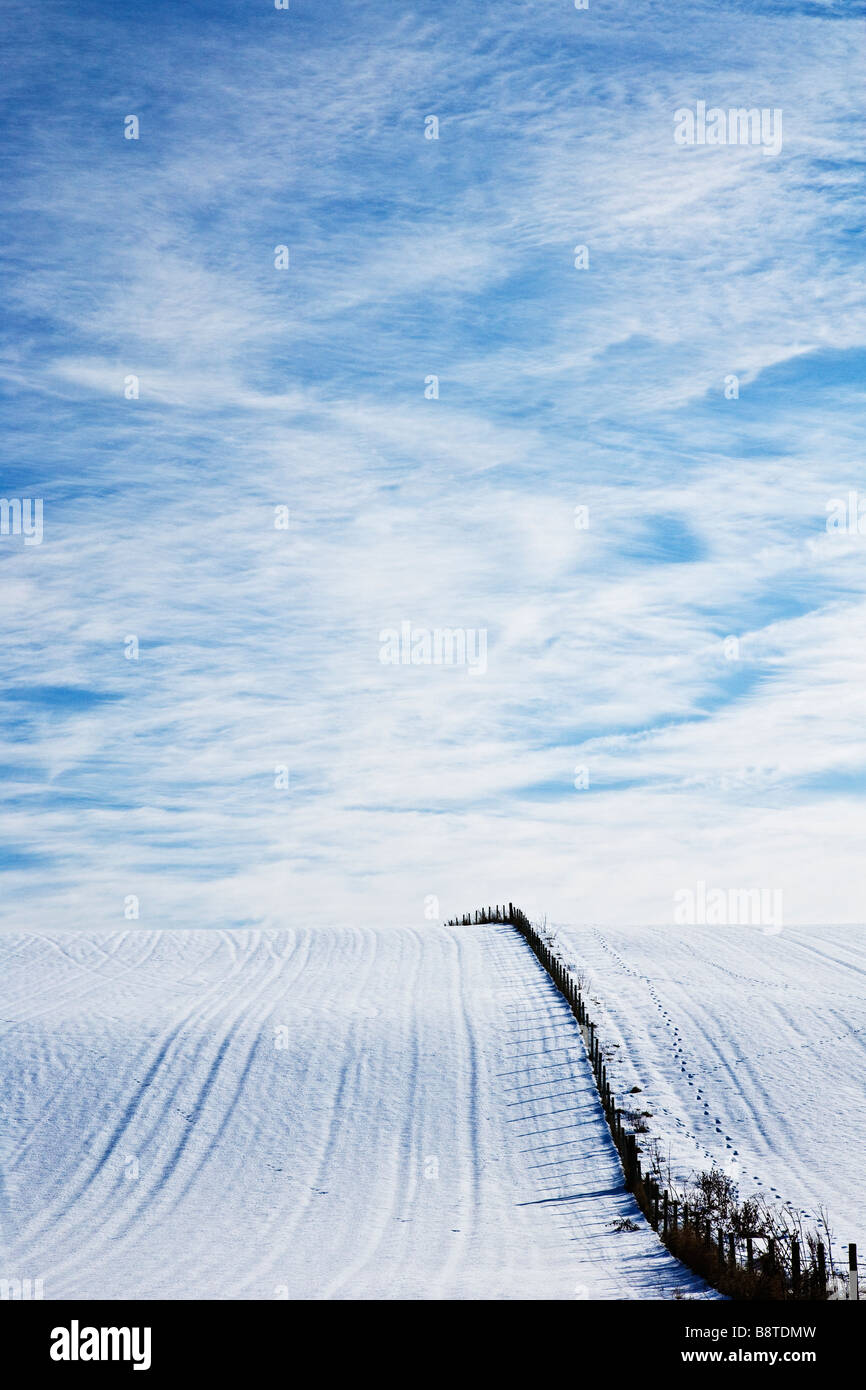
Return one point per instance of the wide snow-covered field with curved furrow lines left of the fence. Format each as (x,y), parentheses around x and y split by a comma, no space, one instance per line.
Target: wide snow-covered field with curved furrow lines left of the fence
(307,1114)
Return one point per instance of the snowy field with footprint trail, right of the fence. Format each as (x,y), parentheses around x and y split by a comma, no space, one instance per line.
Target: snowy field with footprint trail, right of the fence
(750,1050)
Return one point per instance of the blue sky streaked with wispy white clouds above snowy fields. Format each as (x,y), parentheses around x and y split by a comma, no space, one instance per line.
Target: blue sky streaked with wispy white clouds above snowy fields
(619,483)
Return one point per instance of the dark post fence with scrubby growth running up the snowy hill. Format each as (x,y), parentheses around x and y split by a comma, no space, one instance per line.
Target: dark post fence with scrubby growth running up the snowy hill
(739,1263)
